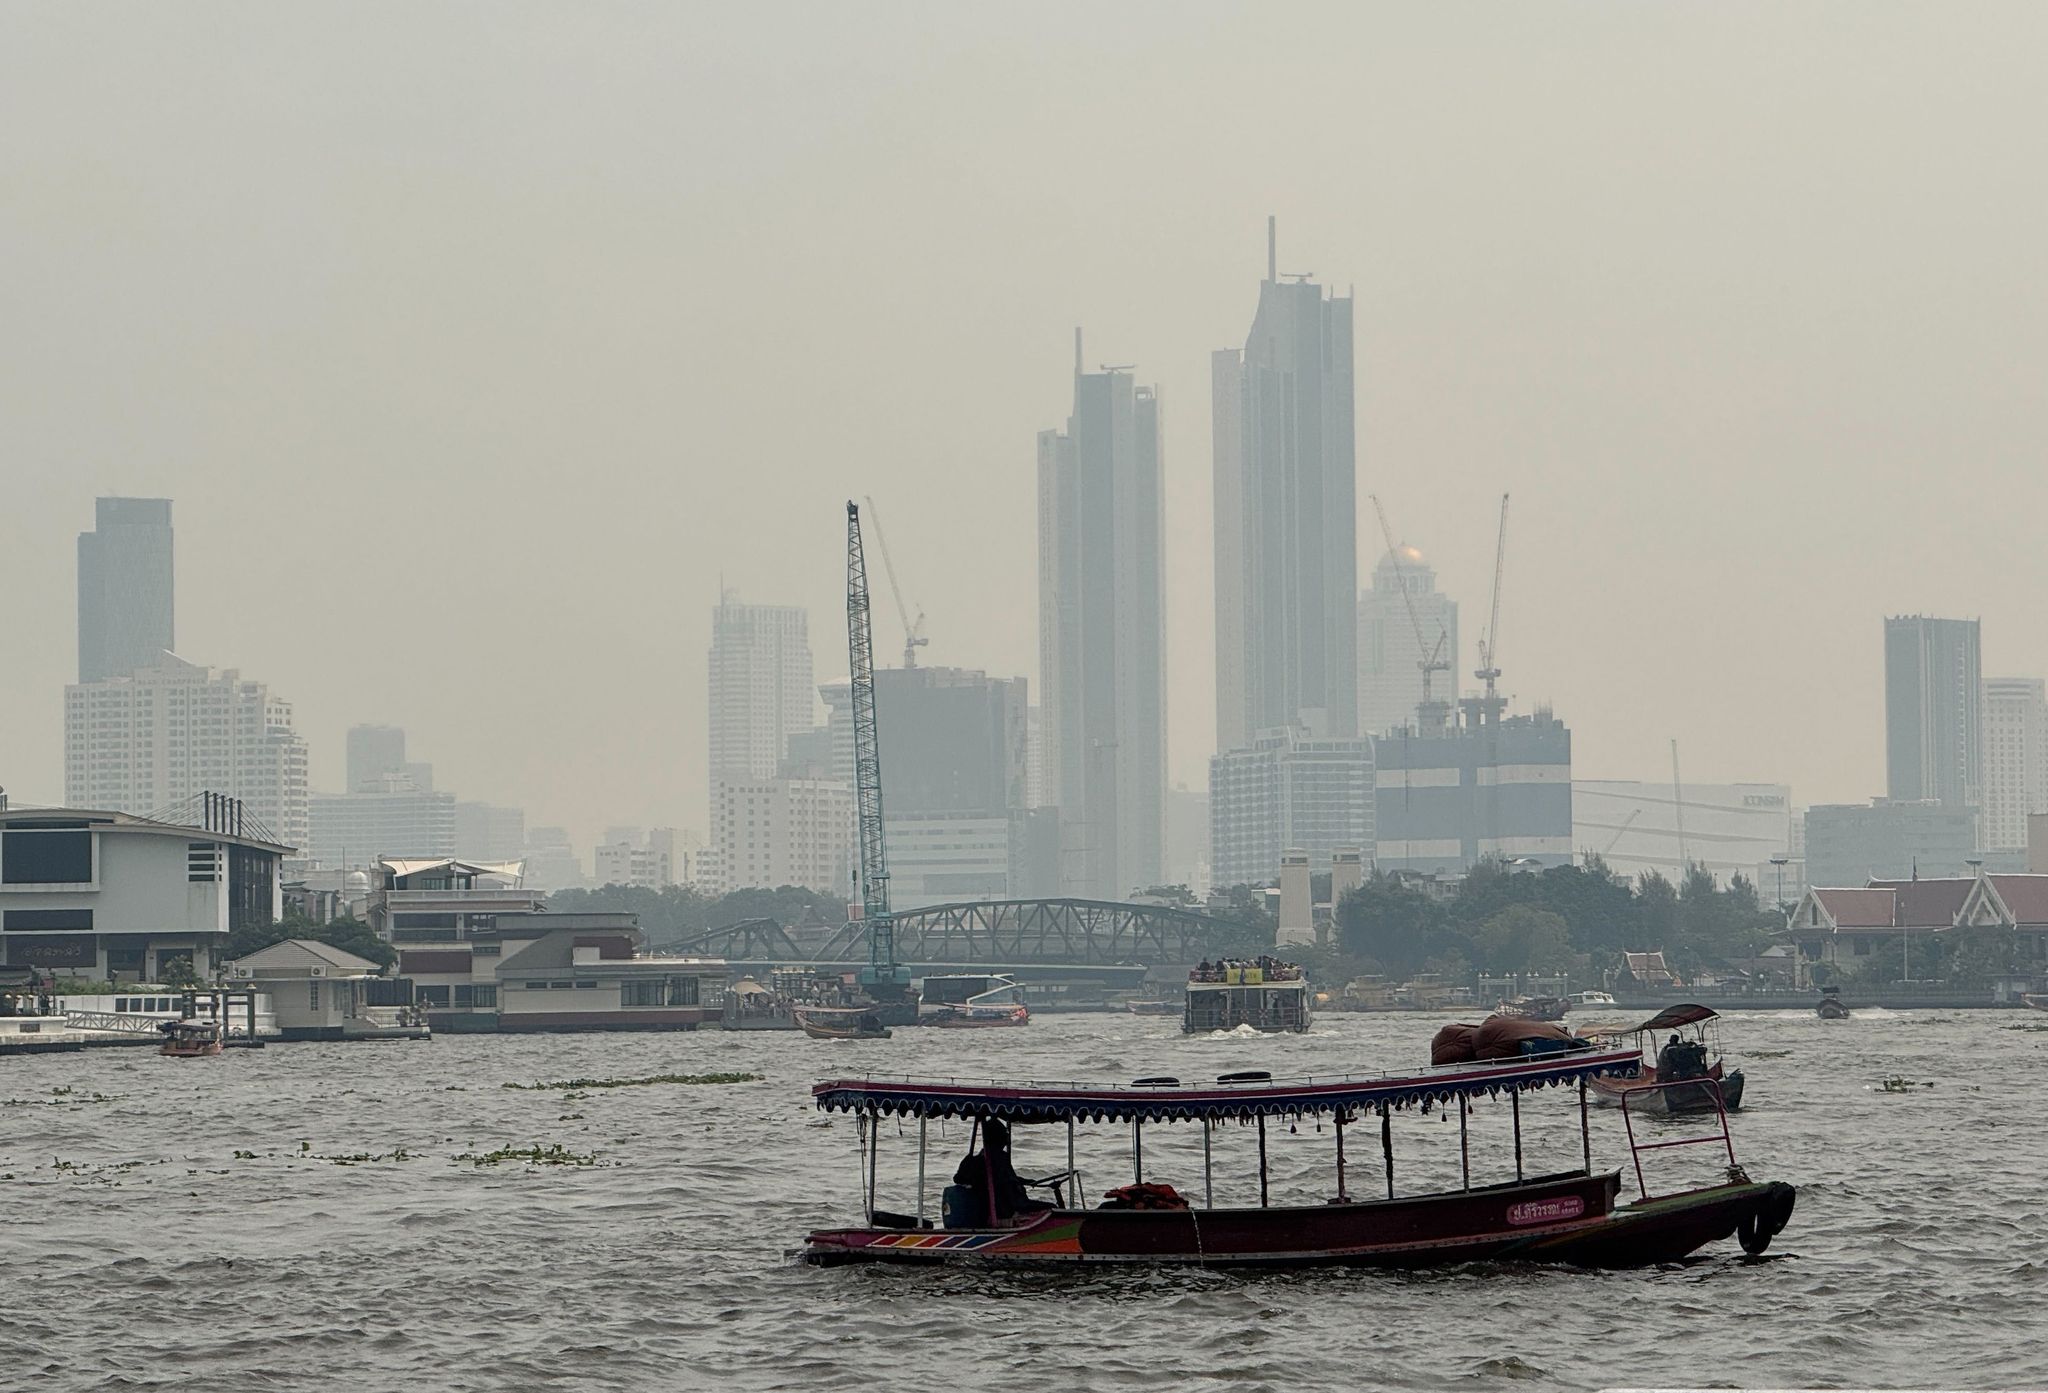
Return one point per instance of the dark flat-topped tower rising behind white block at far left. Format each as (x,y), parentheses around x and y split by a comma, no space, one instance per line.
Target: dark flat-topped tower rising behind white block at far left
(124,589)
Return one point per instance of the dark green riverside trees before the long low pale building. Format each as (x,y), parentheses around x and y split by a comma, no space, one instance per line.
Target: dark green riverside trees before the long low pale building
(1564,921)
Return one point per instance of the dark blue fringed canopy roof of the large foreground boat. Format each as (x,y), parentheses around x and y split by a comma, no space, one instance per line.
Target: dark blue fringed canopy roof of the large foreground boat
(1254,1097)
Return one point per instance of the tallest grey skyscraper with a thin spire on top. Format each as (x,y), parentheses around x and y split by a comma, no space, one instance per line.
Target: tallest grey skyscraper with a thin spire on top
(1287,527)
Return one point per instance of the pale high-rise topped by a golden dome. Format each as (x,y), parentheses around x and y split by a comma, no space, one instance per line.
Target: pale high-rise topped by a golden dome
(1392,657)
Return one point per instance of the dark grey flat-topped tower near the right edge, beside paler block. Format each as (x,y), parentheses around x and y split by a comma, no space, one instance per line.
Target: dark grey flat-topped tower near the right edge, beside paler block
(1934,698)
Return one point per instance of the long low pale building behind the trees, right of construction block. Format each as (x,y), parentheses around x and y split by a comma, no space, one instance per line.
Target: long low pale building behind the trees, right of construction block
(1641,827)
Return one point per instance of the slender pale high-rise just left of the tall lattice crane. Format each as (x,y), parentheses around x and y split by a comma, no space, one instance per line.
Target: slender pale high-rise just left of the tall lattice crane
(761,685)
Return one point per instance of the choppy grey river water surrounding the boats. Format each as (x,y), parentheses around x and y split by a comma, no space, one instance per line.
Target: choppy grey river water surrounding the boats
(202,1224)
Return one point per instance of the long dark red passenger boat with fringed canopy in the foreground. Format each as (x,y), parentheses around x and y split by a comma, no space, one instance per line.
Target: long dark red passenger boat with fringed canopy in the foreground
(1555,1218)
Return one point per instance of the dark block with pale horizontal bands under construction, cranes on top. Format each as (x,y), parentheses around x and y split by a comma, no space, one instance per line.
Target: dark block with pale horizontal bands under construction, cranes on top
(1488,788)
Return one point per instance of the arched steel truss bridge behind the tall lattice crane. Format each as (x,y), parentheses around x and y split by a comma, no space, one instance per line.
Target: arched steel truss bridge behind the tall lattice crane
(998,933)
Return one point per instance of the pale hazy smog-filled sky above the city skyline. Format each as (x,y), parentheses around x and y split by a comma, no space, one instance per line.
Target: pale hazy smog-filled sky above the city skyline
(478,341)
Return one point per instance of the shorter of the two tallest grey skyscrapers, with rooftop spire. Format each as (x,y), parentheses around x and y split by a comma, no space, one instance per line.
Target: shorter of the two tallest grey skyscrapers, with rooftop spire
(1103,632)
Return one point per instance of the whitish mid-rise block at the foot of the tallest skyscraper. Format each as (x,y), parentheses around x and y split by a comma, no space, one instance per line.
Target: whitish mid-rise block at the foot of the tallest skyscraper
(1291,792)
